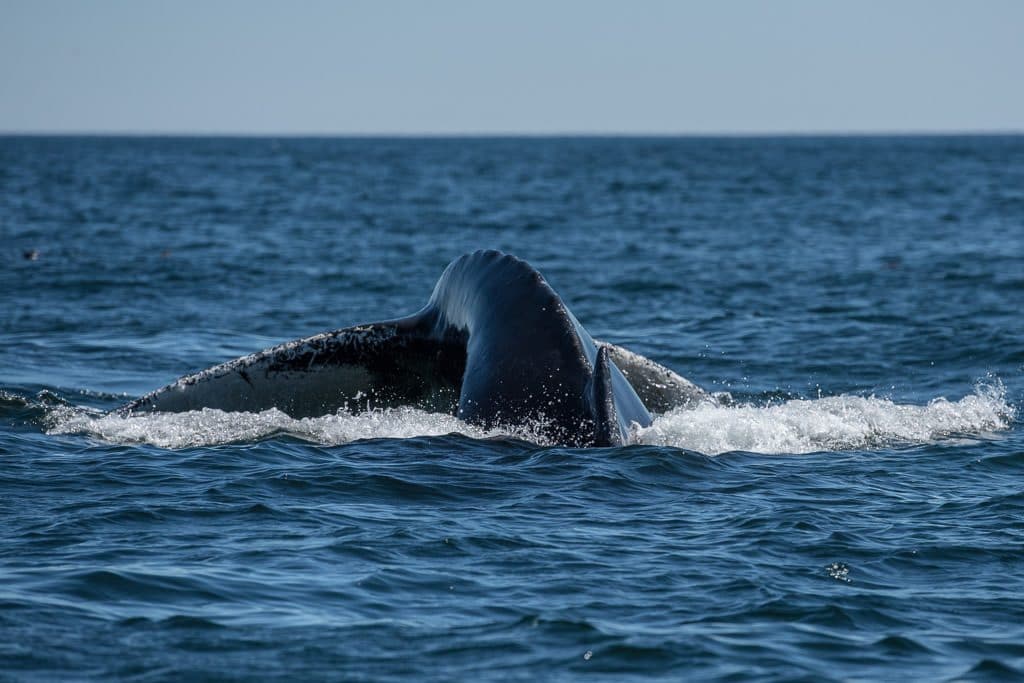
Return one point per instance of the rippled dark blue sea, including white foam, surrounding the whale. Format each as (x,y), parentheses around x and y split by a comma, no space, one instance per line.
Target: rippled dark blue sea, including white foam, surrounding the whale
(858,513)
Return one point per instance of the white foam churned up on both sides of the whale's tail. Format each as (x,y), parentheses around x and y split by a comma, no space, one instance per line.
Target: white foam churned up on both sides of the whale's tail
(836,423)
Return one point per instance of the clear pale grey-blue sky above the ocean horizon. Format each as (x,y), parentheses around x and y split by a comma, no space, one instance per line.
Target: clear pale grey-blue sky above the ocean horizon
(311,67)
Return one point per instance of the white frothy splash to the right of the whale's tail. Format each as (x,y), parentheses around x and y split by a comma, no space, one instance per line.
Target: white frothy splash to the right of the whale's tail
(834,423)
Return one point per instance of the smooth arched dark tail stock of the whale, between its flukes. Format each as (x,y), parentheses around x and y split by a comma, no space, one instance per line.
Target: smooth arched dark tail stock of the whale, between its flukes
(528,359)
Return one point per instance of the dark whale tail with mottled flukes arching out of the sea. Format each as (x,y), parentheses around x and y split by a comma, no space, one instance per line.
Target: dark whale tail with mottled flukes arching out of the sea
(495,346)
